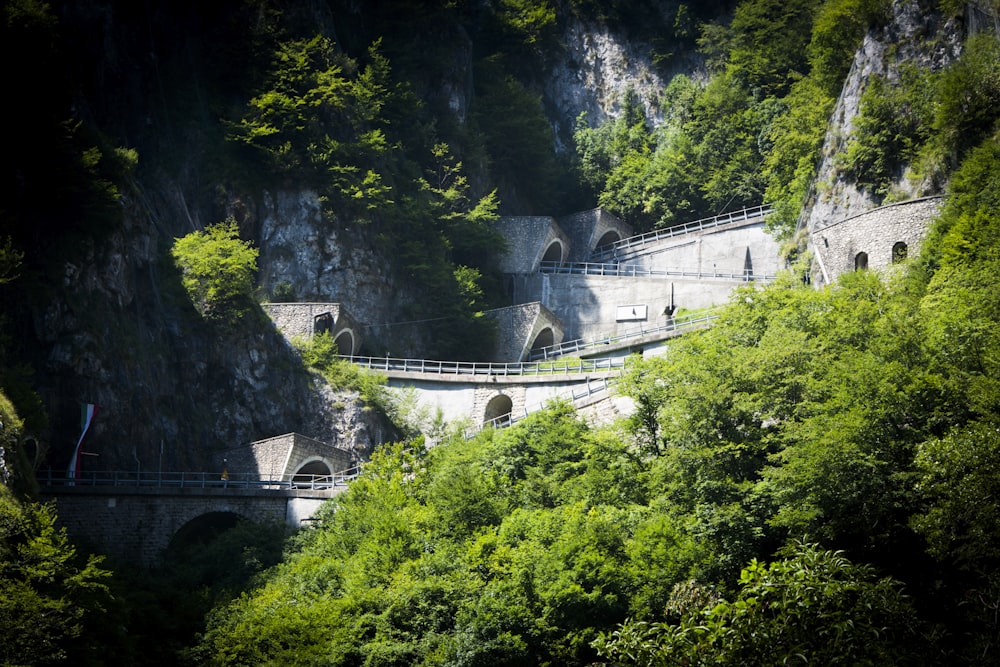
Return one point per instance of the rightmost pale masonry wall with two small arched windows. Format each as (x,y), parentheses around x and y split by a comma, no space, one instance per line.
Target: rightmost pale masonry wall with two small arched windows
(836,246)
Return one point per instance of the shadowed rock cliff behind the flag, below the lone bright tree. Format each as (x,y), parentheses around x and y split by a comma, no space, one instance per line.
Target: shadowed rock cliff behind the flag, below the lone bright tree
(120,332)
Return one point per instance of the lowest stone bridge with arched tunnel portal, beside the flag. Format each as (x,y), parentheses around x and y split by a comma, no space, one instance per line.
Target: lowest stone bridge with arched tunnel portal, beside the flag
(134,515)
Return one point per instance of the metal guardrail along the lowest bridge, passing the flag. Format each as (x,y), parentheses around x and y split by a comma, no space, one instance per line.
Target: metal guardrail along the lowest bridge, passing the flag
(191,480)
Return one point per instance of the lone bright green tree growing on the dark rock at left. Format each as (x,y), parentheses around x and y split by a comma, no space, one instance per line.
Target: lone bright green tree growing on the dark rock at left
(217,270)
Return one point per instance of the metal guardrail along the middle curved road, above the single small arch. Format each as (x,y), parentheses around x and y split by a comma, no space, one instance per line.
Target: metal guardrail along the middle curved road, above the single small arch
(389,364)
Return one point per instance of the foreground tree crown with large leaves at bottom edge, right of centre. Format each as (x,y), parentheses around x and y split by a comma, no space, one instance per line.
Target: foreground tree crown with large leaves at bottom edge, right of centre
(812,607)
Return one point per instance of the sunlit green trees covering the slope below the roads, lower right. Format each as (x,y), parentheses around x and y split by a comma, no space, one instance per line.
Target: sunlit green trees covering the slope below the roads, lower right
(810,477)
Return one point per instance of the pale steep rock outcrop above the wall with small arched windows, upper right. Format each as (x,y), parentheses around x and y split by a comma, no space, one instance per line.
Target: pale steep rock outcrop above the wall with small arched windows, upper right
(915,35)
